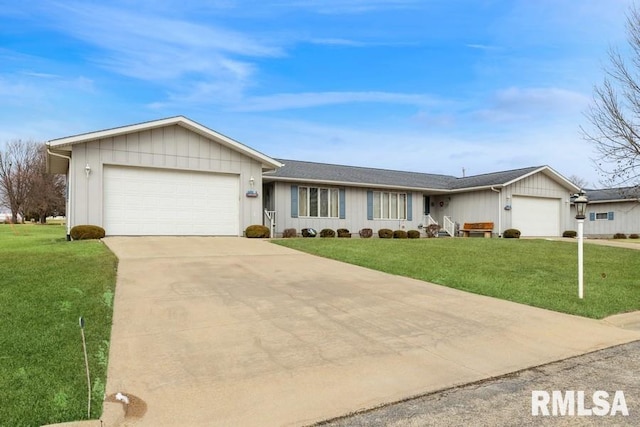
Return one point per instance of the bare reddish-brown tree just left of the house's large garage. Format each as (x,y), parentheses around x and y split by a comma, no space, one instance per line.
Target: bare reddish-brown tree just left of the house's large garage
(45,191)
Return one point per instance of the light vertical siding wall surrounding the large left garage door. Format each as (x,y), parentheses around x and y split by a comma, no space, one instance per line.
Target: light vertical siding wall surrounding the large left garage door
(171,147)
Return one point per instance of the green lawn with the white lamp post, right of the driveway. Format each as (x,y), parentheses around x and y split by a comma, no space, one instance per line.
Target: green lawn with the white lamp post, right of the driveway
(540,273)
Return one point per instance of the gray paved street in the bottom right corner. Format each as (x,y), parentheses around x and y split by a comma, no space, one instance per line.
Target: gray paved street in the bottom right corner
(506,401)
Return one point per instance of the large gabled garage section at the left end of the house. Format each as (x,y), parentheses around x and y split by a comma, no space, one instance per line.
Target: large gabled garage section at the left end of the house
(166,177)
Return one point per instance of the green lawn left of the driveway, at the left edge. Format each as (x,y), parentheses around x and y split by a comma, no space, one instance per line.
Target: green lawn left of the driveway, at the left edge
(46,284)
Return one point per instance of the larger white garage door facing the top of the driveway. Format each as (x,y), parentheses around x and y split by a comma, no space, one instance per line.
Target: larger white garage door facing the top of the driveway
(146,201)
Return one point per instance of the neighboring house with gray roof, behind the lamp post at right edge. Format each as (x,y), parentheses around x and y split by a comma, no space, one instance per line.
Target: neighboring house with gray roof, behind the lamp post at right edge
(611,211)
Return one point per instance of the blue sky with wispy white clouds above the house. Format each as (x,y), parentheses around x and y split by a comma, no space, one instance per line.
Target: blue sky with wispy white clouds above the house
(422,85)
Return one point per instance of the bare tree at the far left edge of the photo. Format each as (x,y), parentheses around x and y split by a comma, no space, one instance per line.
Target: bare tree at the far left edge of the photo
(15,165)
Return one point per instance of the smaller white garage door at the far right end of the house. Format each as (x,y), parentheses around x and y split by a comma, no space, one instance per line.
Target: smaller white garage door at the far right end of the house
(536,216)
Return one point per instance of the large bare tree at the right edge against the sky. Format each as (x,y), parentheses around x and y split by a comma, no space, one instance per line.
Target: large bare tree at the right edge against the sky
(615,113)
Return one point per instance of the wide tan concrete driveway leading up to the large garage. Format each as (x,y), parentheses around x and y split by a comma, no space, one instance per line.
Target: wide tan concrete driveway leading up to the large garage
(232,331)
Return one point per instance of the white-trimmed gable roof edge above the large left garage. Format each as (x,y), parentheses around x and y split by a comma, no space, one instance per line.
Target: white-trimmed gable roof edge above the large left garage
(65,144)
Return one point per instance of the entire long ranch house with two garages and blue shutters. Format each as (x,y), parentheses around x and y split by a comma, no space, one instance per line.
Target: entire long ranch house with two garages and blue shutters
(176,177)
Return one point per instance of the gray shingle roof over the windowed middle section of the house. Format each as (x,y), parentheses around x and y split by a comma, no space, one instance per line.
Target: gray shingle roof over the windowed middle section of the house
(310,171)
